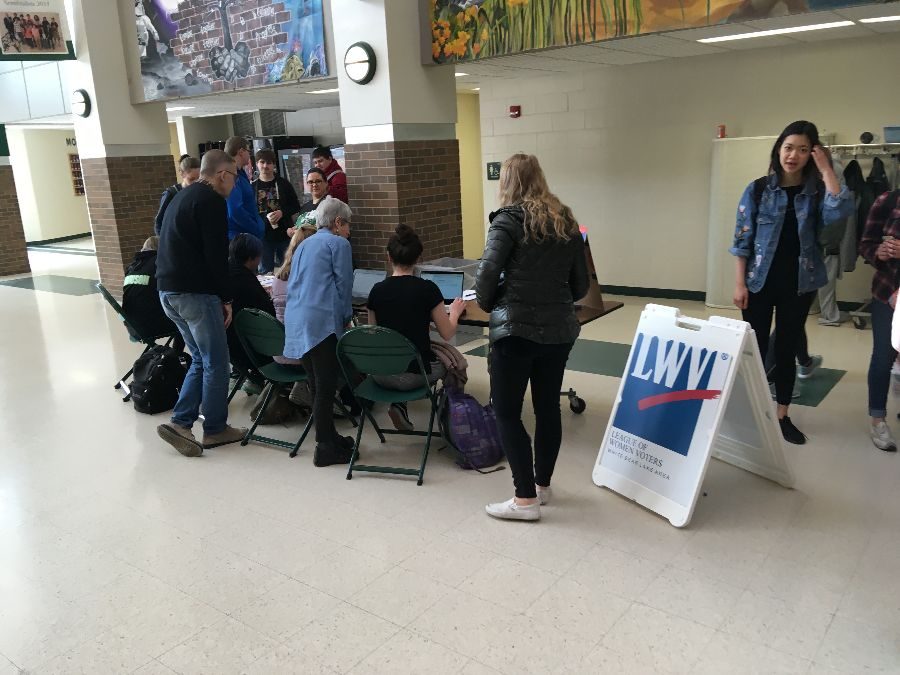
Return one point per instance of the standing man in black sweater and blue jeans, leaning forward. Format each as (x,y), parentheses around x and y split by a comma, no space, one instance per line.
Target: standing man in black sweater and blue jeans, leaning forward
(192,277)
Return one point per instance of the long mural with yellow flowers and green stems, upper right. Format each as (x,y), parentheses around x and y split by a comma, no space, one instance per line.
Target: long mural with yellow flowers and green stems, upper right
(465,30)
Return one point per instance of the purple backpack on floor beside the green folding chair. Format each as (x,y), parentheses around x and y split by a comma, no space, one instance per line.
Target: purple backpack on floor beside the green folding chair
(472,429)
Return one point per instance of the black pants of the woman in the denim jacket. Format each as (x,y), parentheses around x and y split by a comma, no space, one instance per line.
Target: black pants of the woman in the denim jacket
(791,311)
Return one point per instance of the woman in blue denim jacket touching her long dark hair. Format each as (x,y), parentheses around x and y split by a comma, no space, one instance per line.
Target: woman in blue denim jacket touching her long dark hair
(778,255)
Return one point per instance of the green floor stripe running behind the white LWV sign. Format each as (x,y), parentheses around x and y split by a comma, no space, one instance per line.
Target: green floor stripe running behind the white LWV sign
(609,358)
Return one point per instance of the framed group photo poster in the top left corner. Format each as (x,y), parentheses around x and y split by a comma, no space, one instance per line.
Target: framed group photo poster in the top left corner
(33,28)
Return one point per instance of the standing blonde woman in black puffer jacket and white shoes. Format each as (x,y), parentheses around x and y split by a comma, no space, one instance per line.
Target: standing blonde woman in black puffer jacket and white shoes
(535,245)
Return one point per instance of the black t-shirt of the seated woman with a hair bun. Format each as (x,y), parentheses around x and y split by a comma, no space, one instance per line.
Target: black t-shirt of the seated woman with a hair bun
(404,304)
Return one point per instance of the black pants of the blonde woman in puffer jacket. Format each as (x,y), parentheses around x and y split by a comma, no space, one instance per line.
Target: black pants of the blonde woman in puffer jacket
(515,361)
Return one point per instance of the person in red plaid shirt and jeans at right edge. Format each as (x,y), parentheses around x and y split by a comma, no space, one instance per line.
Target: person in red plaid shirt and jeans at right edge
(880,246)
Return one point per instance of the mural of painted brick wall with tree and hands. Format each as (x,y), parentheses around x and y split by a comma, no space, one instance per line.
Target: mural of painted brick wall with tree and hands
(190,47)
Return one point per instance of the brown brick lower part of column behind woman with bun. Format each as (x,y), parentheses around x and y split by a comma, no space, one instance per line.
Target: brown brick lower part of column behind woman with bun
(410,182)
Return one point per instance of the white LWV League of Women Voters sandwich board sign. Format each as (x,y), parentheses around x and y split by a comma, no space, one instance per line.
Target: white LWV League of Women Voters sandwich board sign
(692,389)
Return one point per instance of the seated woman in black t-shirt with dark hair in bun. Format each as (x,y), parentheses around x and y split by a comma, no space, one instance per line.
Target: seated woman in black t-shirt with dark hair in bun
(409,304)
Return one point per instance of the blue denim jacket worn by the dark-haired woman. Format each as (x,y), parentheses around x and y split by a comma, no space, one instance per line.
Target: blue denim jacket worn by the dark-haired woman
(756,234)
